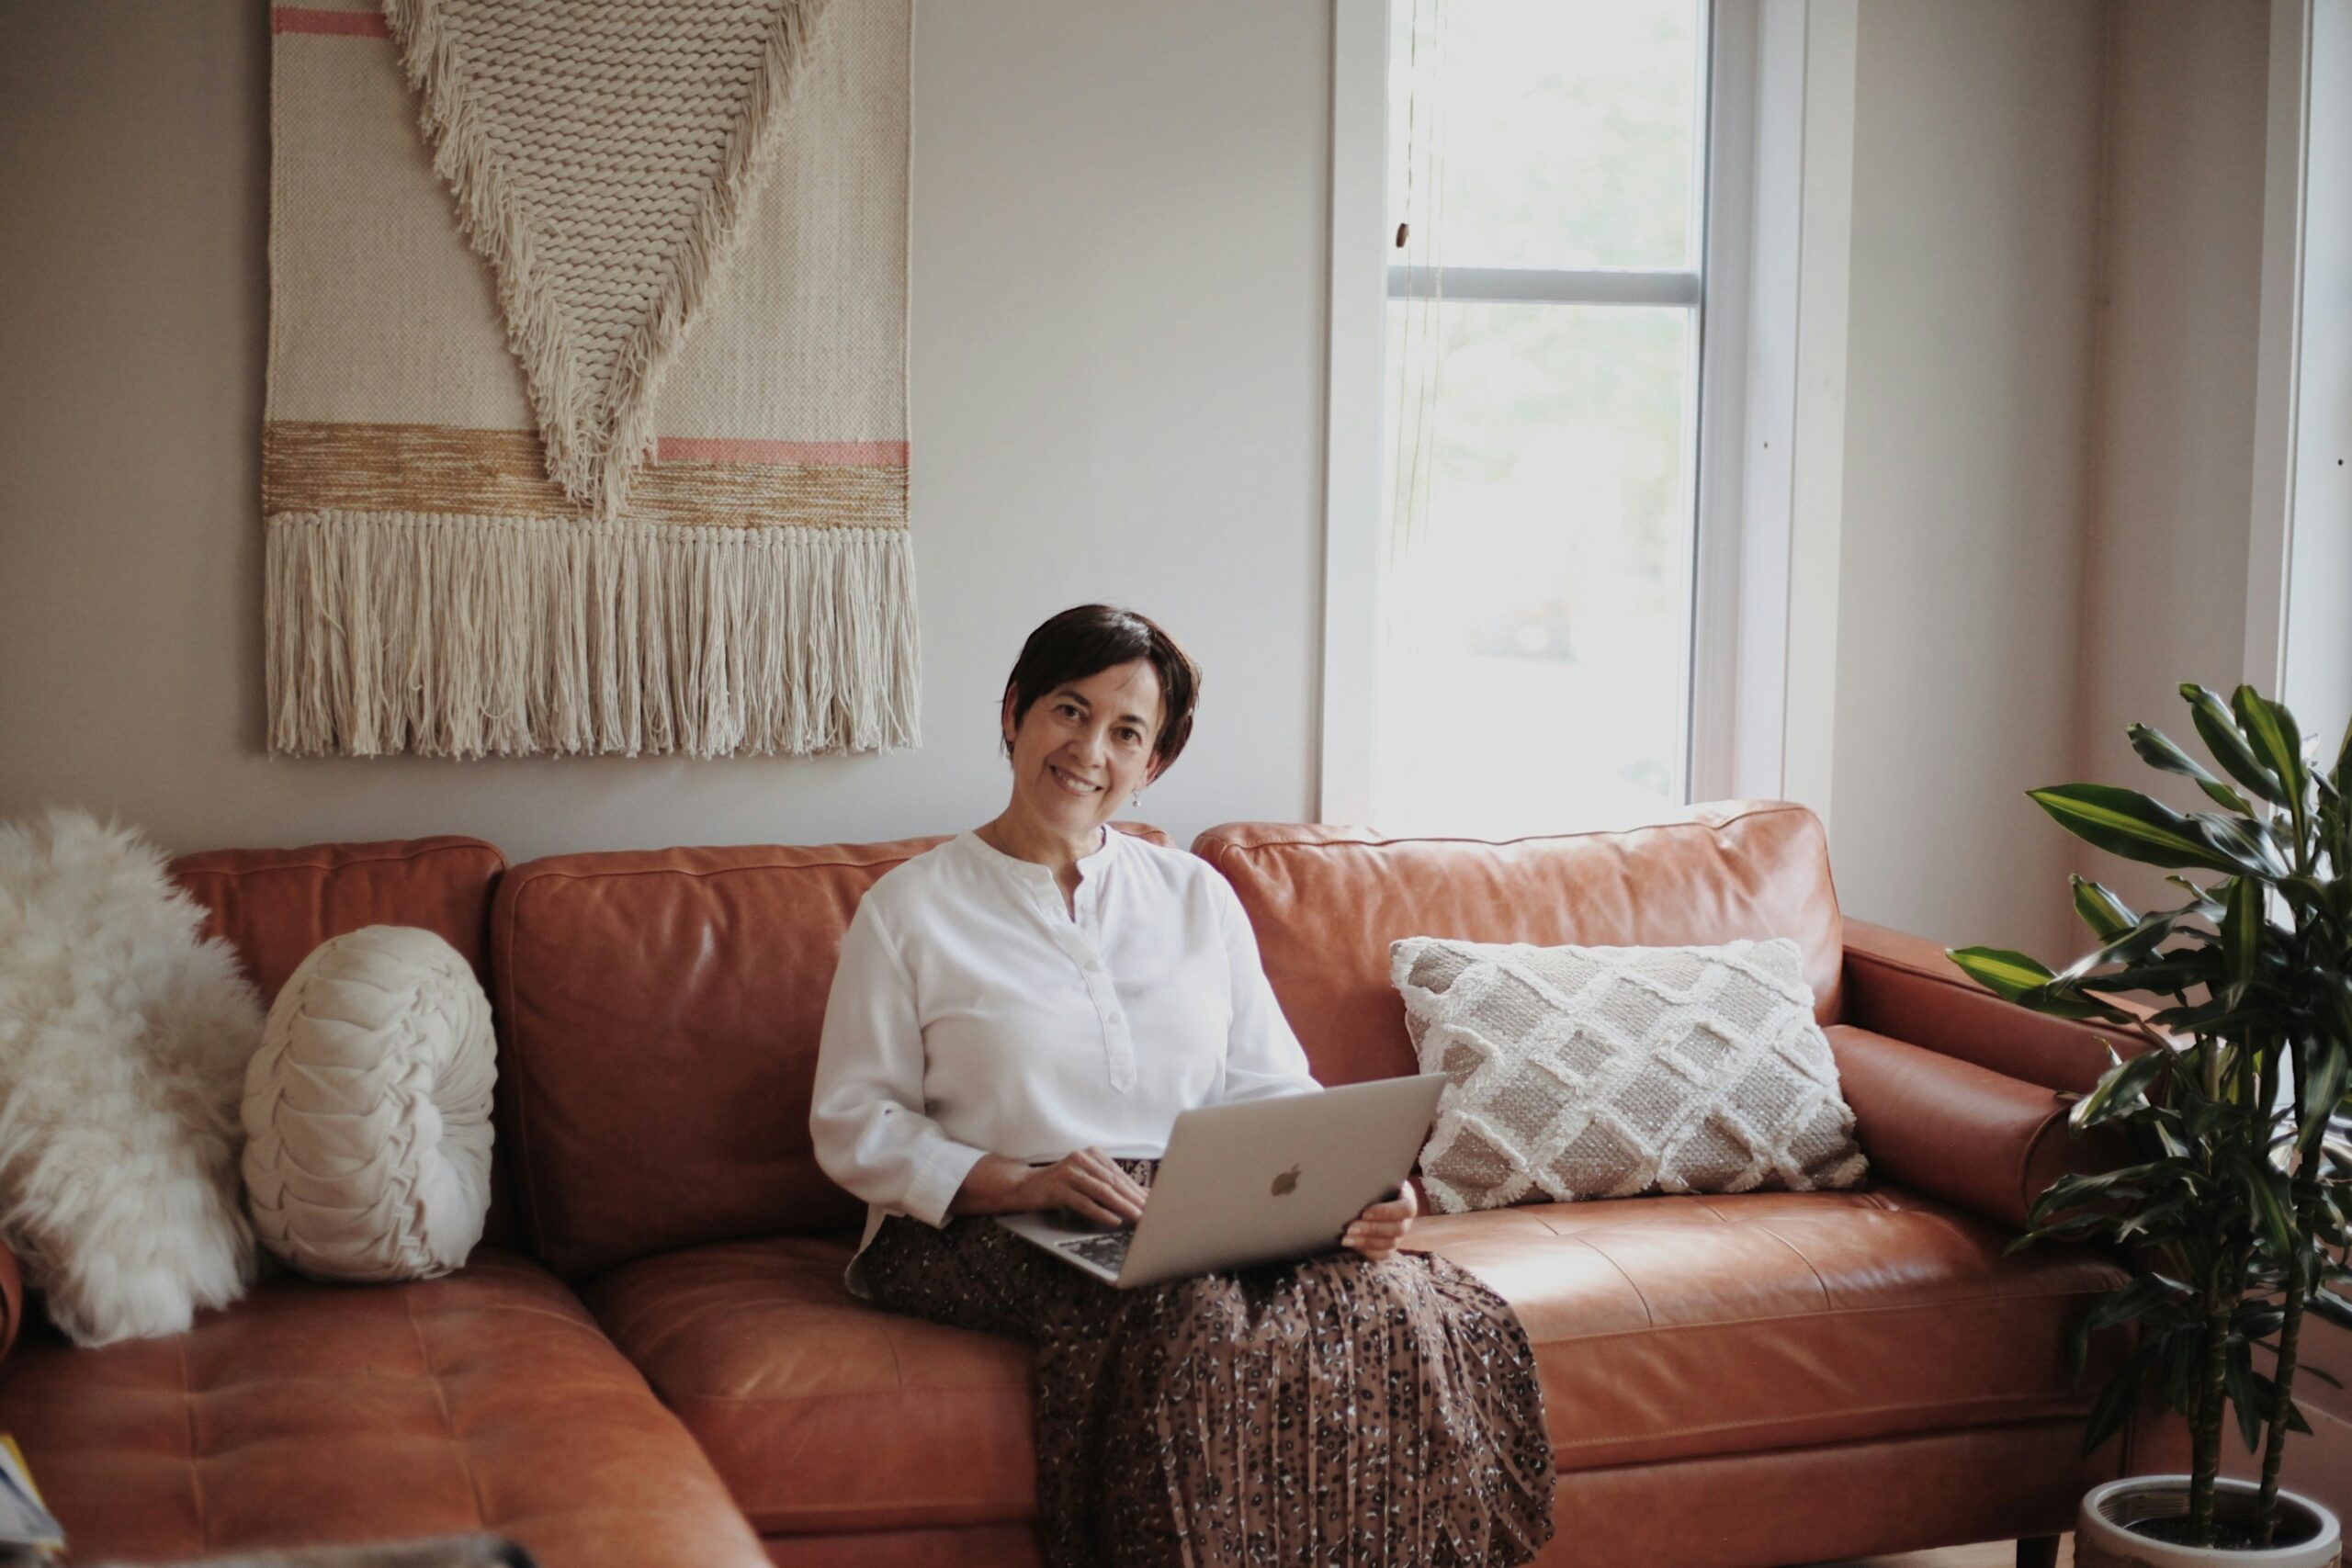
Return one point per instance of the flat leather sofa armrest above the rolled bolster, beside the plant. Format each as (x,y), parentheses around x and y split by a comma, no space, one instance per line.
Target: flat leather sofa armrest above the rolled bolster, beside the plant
(1906,989)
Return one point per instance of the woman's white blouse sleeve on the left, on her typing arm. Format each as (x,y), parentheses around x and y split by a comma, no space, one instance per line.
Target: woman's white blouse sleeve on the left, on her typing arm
(867,1115)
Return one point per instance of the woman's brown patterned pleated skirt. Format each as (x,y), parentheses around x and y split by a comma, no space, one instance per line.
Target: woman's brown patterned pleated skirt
(1325,1412)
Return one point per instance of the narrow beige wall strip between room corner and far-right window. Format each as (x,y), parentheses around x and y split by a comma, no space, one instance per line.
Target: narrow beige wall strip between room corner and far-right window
(2179,326)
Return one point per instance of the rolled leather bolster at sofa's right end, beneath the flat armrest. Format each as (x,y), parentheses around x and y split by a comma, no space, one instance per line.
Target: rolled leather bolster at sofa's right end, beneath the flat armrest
(1951,1130)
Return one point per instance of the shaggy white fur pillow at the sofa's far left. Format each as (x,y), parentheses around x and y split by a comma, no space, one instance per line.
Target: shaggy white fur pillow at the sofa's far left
(123,1043)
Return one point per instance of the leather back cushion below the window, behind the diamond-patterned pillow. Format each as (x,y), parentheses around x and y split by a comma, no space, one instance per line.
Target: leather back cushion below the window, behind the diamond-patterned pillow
(1328,904)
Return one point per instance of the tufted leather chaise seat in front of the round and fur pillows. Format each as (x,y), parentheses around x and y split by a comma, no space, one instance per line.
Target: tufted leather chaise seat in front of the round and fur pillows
(486,1400)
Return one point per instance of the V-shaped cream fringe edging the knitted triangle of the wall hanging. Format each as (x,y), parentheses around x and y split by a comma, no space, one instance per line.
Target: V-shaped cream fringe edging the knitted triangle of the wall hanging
(594,443)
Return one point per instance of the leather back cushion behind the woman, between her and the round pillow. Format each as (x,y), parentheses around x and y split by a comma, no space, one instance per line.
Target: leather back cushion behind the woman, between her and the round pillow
(657,1043)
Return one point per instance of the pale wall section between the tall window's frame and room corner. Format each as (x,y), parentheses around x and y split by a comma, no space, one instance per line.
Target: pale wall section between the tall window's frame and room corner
(1967,476)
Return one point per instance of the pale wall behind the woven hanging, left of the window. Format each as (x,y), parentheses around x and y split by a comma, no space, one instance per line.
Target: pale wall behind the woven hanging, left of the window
(1116,373)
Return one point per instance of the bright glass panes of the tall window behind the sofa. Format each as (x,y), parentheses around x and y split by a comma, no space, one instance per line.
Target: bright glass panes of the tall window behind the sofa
(1535,624)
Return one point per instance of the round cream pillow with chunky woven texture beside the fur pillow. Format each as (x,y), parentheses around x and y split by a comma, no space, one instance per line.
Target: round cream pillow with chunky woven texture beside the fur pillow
(368,1111)
